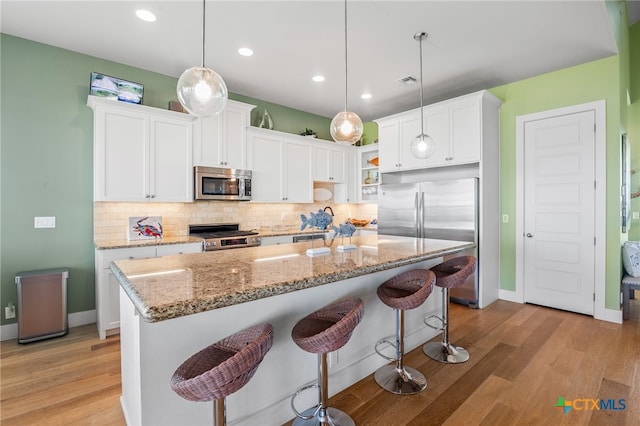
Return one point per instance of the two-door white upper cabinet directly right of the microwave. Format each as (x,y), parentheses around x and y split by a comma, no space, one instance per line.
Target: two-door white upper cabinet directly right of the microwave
(281,166)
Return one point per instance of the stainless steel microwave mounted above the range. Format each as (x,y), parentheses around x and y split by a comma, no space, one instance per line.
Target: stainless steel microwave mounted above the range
(216,183)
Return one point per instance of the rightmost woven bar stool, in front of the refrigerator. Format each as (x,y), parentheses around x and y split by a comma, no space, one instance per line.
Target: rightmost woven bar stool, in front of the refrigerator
(449,274)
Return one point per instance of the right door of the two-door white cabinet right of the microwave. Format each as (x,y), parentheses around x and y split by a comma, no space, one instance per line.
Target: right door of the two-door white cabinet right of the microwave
(298,178)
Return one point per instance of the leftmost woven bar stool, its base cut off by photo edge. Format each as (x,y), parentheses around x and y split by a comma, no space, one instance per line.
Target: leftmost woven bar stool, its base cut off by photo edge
(223,368)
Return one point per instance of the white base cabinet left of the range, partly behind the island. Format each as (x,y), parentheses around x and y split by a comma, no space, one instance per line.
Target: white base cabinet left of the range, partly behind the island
(107,287)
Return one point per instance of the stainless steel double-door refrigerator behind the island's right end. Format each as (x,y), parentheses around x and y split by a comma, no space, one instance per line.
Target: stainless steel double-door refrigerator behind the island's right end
(442,209)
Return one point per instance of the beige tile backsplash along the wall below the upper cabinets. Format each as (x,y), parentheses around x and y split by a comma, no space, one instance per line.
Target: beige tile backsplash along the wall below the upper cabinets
(111,220)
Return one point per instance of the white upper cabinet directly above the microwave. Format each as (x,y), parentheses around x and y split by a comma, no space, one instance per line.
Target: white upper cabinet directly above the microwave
(221,140)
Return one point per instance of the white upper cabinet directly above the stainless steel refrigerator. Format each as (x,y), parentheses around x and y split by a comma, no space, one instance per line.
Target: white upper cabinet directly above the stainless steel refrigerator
(457,126)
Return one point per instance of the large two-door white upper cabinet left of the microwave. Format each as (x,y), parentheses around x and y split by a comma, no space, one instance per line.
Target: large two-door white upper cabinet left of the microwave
(141,153)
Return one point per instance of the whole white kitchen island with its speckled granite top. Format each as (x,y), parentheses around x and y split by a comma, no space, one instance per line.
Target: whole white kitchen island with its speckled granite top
(173,306)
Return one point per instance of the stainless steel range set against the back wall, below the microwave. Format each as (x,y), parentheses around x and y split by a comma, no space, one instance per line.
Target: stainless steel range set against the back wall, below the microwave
(220,236)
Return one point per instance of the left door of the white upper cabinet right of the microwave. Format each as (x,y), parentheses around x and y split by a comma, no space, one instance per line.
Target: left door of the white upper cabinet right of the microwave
(266,163)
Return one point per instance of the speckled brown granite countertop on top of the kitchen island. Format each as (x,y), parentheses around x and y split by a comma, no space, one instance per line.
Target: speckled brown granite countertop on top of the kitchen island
(173,286)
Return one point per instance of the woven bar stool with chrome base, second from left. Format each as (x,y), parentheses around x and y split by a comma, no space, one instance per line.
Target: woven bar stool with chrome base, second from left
(323,331)
